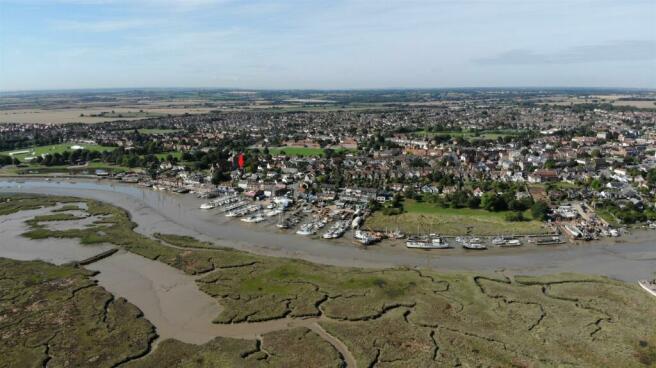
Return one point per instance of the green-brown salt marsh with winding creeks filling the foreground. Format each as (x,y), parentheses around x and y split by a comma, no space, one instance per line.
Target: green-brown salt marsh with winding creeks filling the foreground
(394,317)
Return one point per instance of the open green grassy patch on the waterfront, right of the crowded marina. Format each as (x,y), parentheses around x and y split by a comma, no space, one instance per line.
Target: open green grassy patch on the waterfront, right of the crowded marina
(422,217)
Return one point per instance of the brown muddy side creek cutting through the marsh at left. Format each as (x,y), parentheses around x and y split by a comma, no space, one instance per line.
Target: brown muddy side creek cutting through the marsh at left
(168,298)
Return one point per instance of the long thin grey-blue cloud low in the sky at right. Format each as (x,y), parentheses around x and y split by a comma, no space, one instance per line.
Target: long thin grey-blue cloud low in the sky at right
(627,50)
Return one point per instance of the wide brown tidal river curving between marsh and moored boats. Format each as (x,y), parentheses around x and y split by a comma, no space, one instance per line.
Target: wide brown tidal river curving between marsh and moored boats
(628,258)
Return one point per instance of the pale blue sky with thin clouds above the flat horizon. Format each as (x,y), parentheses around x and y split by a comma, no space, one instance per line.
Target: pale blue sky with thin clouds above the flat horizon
(333,44)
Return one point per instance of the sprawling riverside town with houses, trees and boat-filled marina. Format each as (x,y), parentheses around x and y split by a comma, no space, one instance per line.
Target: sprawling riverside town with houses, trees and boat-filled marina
(484,169)
